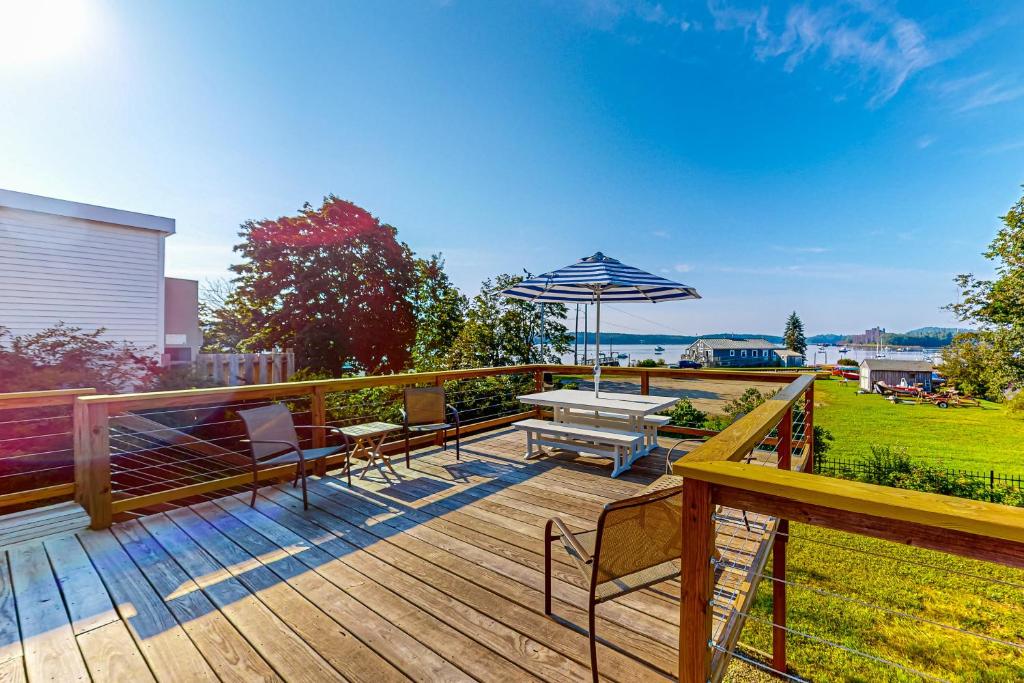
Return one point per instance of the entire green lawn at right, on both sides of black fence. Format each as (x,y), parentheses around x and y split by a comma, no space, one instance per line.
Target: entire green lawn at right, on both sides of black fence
(879,597)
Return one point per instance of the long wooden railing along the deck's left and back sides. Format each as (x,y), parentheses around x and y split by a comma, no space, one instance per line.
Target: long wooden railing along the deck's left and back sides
(91,416)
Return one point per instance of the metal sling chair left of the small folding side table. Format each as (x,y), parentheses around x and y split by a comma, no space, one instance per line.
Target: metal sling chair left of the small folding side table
(273,441)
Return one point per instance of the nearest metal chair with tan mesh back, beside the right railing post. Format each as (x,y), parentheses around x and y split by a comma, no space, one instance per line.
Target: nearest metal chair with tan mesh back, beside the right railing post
(637,543)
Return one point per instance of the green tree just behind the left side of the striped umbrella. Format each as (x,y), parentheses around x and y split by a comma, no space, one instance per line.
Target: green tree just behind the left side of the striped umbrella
(500,331)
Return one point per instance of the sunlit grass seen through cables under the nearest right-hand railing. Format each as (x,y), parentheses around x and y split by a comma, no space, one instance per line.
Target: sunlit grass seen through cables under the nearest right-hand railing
(944,595)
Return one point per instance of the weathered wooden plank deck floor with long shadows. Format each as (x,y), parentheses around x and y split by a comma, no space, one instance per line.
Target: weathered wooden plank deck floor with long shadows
(436,577)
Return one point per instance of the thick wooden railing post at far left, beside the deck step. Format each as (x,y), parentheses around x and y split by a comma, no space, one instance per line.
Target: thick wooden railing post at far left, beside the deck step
(93,461)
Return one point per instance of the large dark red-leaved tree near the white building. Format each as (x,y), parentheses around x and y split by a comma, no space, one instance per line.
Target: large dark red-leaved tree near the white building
(333,283)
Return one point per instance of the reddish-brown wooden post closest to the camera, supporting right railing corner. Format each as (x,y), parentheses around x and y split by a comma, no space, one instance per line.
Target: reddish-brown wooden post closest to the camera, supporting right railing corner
(697,582)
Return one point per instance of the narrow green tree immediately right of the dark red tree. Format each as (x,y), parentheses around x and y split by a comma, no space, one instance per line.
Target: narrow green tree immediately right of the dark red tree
(441,314)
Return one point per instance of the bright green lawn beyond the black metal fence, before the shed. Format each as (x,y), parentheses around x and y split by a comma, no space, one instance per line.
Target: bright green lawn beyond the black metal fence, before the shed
(972,439)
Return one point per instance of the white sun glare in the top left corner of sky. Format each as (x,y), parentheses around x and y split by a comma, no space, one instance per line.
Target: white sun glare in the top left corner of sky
(41,31)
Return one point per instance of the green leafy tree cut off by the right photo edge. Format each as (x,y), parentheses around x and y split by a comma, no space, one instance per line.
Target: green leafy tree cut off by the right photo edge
(990,362)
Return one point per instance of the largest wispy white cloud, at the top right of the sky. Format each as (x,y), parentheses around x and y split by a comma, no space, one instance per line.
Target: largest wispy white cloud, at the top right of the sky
(877,42)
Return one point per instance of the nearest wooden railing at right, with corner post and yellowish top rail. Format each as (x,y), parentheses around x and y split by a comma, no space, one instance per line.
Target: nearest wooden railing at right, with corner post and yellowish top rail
(714,476)
